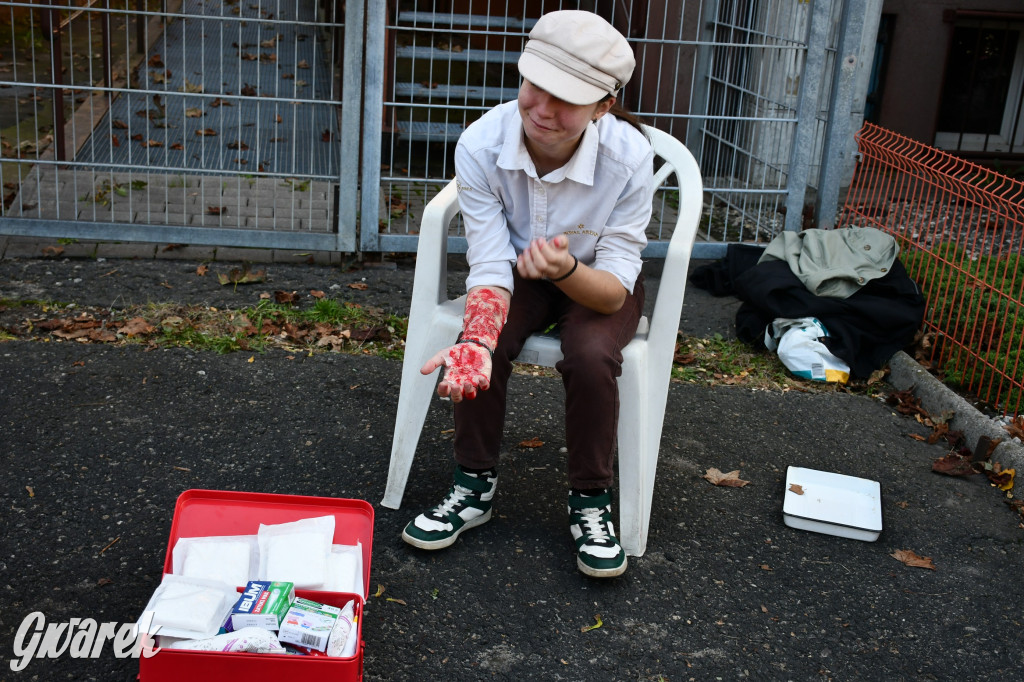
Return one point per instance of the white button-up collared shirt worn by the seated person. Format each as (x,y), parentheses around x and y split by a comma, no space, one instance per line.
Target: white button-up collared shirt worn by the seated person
(602,199)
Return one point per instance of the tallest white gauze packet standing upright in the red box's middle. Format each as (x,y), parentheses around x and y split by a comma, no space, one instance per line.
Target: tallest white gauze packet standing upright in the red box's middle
(296,552)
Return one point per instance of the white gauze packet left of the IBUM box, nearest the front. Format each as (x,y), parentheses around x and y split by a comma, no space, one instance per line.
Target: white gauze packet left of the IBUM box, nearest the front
(191,608)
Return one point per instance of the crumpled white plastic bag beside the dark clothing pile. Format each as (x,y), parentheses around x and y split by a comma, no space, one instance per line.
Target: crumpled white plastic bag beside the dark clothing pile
(799,347)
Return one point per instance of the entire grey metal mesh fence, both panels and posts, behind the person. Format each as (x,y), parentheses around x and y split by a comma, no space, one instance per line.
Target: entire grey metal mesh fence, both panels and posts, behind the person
(260,122)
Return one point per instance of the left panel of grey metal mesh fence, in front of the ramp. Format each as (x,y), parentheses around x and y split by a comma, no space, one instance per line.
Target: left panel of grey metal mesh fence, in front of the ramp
(206,116)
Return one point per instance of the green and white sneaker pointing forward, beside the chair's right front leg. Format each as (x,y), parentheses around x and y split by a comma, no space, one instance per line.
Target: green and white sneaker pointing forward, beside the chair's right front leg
(599,551)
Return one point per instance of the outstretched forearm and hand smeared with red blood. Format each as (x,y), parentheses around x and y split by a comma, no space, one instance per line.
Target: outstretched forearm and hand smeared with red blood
(467,364)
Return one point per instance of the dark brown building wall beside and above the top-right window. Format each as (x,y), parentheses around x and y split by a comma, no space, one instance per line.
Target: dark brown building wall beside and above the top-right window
(918,61)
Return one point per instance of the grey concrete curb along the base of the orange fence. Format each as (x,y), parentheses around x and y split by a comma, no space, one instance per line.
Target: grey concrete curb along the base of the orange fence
(936,398)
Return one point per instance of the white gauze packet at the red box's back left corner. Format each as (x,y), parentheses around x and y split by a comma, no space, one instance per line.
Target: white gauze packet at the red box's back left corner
(231,560)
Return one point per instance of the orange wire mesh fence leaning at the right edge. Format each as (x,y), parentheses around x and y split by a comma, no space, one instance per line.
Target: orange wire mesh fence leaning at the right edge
(961,231)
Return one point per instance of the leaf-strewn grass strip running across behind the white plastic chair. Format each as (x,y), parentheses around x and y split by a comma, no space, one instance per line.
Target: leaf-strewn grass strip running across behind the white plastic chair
(332,326)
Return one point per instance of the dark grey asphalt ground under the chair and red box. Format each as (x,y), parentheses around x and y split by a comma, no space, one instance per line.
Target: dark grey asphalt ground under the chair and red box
(107,438)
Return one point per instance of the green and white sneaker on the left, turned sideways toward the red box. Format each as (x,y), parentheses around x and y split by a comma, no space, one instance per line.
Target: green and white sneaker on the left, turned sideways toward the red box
(467,506)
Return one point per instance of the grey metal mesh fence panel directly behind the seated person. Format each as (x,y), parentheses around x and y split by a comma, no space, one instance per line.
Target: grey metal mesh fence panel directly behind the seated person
(724,76)
